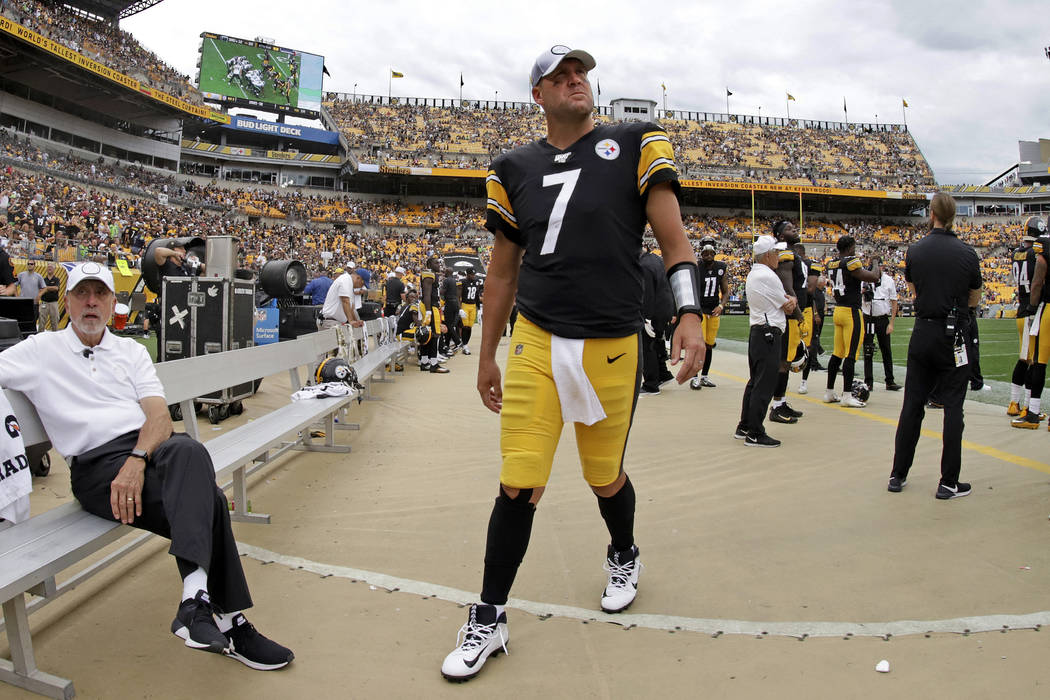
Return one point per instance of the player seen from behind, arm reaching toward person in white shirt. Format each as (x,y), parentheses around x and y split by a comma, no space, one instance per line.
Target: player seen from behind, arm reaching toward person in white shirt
(847,272)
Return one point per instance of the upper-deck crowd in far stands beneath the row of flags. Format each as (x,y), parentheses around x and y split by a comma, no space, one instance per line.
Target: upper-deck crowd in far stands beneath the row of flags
(857,158)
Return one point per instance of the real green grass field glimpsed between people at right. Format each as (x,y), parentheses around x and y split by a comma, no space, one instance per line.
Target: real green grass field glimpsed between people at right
(999,343)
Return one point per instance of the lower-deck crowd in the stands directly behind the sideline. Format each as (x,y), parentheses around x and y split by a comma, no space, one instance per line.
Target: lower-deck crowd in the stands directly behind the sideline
(108,210)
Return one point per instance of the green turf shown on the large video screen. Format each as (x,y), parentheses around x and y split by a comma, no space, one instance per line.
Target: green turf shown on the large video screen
(216,53)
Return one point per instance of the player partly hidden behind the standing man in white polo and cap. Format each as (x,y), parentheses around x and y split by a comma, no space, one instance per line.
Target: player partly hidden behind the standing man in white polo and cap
(794,277)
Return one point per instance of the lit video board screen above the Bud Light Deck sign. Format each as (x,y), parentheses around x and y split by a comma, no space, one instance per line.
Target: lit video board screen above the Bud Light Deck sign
(250,74)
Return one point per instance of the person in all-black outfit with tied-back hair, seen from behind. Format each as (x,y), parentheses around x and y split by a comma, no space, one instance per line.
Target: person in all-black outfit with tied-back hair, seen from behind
(944,275)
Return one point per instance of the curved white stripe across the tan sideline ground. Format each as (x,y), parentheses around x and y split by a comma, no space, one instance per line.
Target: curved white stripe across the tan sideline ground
(667,623)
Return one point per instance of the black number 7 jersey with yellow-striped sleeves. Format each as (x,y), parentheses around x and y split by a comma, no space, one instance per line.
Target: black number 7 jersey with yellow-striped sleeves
(580,215)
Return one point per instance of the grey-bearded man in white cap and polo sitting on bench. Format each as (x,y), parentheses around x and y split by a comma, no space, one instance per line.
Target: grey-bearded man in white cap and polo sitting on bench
(100,400)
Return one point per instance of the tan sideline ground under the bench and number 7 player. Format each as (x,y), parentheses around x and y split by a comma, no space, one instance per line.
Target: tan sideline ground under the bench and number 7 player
(789,571)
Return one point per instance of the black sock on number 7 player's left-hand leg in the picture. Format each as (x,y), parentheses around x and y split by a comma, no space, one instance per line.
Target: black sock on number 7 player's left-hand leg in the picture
(510,528)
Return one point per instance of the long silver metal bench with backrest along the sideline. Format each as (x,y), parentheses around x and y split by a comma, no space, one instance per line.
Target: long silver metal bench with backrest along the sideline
(33,553)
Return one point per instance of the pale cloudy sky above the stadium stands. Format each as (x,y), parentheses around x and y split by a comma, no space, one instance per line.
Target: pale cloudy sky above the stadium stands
(974,73)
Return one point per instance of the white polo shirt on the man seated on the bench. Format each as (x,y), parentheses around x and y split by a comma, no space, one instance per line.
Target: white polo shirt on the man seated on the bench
(83,402)
